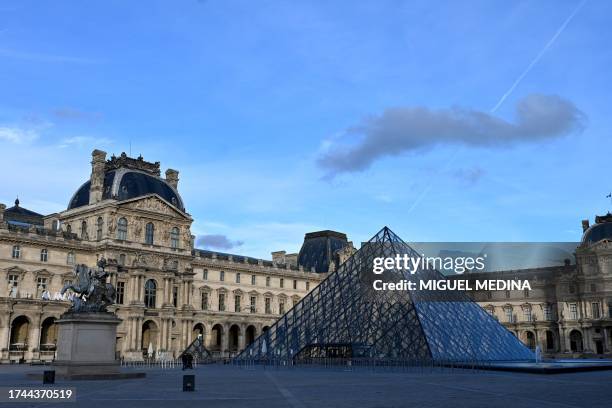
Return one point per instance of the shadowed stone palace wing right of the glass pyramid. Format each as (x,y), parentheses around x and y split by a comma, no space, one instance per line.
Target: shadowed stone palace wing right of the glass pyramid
(568,312)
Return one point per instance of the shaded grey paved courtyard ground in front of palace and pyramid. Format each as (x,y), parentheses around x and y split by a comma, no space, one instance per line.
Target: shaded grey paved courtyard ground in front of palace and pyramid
(227,386)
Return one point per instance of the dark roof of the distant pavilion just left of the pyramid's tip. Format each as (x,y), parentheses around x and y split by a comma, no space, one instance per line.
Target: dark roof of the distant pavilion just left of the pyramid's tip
(319,248)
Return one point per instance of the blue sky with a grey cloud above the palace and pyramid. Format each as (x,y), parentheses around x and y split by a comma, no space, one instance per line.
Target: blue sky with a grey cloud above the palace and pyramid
(252,101)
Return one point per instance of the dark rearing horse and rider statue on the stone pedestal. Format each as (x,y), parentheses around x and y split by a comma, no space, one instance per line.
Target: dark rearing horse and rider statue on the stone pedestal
(93,294)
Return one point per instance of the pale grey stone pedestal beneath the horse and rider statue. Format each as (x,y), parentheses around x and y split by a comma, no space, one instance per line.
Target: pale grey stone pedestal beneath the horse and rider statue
(86,346)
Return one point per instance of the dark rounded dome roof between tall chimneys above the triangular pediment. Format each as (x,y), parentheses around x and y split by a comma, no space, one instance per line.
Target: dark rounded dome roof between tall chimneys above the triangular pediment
(124,184)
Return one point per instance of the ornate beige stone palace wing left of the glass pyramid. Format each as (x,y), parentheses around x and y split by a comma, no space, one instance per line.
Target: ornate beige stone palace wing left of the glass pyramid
(168,292)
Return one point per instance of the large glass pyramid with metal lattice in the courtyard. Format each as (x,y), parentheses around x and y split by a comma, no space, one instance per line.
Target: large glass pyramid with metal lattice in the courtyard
(345,316)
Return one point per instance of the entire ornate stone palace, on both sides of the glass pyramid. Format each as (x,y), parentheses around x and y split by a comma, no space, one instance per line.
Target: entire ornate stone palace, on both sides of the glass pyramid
(169,292)
